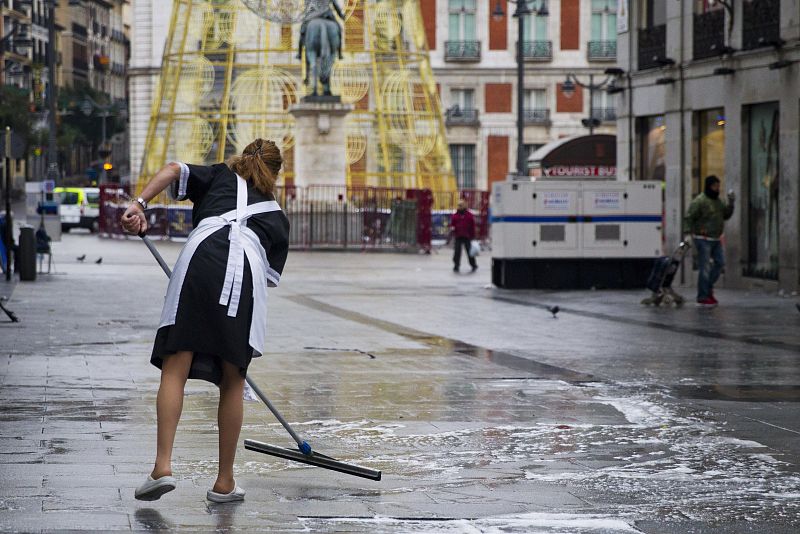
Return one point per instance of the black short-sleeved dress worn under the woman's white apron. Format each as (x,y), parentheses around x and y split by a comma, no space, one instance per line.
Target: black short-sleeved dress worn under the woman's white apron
(201,323)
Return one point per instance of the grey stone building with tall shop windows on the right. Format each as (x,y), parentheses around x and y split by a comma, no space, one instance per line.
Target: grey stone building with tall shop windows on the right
(714,88)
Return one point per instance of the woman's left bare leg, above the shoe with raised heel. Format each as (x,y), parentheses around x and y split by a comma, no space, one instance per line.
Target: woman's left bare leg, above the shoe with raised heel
(174,372)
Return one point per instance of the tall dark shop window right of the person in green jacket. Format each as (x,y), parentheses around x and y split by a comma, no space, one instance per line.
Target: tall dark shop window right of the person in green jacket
(763,190)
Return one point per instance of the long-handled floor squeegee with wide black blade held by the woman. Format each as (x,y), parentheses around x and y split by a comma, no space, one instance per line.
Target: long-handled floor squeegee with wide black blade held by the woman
(304,453)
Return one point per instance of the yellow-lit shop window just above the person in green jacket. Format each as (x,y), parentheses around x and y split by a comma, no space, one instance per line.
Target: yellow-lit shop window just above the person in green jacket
(708,148)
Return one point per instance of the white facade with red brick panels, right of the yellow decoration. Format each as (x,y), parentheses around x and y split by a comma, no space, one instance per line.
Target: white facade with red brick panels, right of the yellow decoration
(473,54)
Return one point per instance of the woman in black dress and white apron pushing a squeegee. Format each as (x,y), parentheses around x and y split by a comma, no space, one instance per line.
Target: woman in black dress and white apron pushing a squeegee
(214,317)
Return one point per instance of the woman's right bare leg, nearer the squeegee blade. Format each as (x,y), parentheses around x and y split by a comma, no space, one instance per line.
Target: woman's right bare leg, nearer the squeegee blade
(229,417)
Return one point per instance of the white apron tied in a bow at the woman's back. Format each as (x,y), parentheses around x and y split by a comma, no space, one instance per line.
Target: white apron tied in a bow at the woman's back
(243,242)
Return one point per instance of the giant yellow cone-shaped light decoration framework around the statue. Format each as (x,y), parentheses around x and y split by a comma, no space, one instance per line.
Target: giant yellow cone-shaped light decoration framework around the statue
(229,76)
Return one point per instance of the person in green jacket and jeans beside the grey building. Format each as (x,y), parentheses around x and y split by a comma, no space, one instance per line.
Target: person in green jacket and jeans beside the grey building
(706,221)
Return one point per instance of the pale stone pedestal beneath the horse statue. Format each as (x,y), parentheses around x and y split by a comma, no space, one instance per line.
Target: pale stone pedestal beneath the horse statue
(320,153)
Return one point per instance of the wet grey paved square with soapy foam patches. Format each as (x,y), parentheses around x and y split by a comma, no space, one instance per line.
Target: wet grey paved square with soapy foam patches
(484,412)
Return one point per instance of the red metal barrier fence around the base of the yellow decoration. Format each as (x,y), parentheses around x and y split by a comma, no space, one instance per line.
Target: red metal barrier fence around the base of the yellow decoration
(329,216)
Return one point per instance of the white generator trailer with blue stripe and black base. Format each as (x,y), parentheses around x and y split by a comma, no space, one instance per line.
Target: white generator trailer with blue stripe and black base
(575,234)
